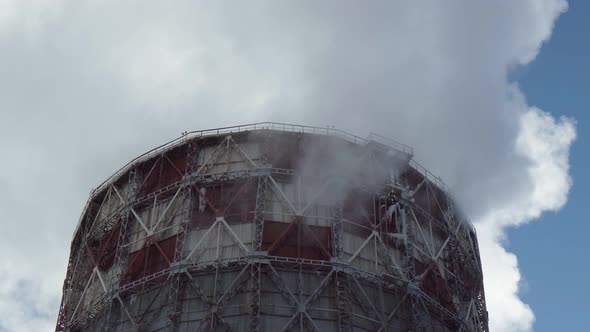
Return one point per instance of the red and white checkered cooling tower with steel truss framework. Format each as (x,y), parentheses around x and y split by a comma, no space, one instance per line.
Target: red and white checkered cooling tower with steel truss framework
(273,227)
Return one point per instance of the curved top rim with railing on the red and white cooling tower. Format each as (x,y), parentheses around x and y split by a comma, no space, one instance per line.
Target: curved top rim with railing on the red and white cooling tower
(275,126)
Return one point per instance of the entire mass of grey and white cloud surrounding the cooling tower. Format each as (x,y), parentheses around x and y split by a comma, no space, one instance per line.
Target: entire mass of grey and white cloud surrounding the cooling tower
(87,86)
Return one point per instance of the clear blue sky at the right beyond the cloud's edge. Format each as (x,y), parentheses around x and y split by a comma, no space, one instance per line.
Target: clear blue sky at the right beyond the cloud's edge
(553,253)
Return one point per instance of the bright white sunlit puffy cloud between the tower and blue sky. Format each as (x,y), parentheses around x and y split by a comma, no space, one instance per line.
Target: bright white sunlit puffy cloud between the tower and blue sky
(545,142)
